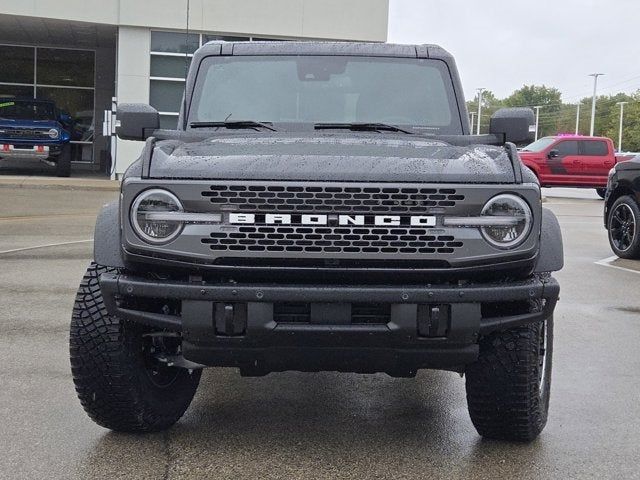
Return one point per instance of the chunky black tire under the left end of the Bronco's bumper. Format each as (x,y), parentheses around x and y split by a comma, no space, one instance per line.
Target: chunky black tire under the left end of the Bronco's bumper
(116,379)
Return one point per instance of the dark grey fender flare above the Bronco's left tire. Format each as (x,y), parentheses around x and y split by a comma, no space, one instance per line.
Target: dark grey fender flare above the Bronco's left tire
(106,239)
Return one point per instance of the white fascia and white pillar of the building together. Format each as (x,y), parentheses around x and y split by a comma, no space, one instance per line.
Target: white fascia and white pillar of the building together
(360,20)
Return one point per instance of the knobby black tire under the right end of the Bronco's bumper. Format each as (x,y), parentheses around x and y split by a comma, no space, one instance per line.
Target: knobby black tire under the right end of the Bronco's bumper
(508,386)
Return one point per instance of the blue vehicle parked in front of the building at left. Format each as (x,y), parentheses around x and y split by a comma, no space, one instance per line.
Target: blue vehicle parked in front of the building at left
(32,128)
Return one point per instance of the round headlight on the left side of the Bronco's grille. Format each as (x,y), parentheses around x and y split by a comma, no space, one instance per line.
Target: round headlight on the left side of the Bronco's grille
(146,225)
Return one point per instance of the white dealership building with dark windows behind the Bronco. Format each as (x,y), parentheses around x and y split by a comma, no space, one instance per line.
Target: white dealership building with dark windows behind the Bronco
(83,54)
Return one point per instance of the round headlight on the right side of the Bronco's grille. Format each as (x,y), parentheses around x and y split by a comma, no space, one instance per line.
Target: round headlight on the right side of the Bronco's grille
(511,230)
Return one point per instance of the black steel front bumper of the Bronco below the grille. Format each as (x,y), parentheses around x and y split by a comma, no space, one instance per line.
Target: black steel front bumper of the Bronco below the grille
(432,326)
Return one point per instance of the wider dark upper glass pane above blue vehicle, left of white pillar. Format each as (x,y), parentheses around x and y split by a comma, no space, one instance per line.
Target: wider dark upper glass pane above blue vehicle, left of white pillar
(73,68)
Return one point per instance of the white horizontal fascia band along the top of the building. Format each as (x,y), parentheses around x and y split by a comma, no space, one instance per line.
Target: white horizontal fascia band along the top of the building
(328,19)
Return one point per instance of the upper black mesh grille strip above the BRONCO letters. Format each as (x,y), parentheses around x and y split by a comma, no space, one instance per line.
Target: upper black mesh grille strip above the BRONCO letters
(330,199)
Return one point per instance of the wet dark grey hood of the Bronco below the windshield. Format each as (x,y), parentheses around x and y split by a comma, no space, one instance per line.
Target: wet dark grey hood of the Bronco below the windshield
(367,158)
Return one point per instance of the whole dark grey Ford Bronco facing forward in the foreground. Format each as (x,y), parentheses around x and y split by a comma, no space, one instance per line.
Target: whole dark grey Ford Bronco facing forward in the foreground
(321,206)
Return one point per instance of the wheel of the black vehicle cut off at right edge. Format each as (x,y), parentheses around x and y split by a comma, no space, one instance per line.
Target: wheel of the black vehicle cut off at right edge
(623,226)
